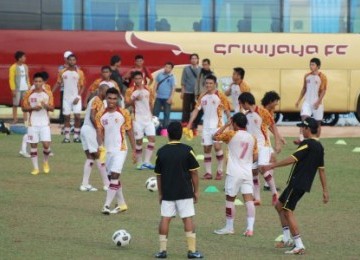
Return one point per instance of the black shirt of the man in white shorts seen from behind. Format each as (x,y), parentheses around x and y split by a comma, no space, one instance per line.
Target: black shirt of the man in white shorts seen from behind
(174,161)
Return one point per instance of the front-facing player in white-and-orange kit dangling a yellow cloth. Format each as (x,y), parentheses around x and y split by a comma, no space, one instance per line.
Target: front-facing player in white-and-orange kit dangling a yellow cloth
(213,103)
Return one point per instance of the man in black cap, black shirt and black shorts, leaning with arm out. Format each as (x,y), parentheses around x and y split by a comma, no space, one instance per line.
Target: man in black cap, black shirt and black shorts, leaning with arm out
(306,161)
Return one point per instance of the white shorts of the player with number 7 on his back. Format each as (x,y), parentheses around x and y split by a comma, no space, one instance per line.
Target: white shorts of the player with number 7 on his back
(236,184)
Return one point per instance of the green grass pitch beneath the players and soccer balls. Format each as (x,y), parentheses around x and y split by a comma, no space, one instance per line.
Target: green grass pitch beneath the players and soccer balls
(47,217)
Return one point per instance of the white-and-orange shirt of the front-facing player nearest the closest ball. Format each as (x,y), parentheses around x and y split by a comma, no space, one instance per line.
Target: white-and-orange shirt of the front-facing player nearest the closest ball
(114,124)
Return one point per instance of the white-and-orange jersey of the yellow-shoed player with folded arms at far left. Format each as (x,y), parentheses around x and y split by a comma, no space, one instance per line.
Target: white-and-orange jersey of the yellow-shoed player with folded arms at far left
(33,99)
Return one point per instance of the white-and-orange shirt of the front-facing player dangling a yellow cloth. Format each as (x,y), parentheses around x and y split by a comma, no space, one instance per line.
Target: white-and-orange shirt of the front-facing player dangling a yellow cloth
(213,106)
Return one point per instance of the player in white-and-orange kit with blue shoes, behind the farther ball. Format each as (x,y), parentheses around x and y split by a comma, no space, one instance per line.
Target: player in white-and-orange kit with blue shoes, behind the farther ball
(140,97)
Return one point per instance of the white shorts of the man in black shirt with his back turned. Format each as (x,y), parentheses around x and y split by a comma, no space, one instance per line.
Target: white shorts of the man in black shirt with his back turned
(185,208)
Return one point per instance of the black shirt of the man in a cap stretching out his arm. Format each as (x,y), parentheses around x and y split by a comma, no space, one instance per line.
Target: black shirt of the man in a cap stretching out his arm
(309,158)
